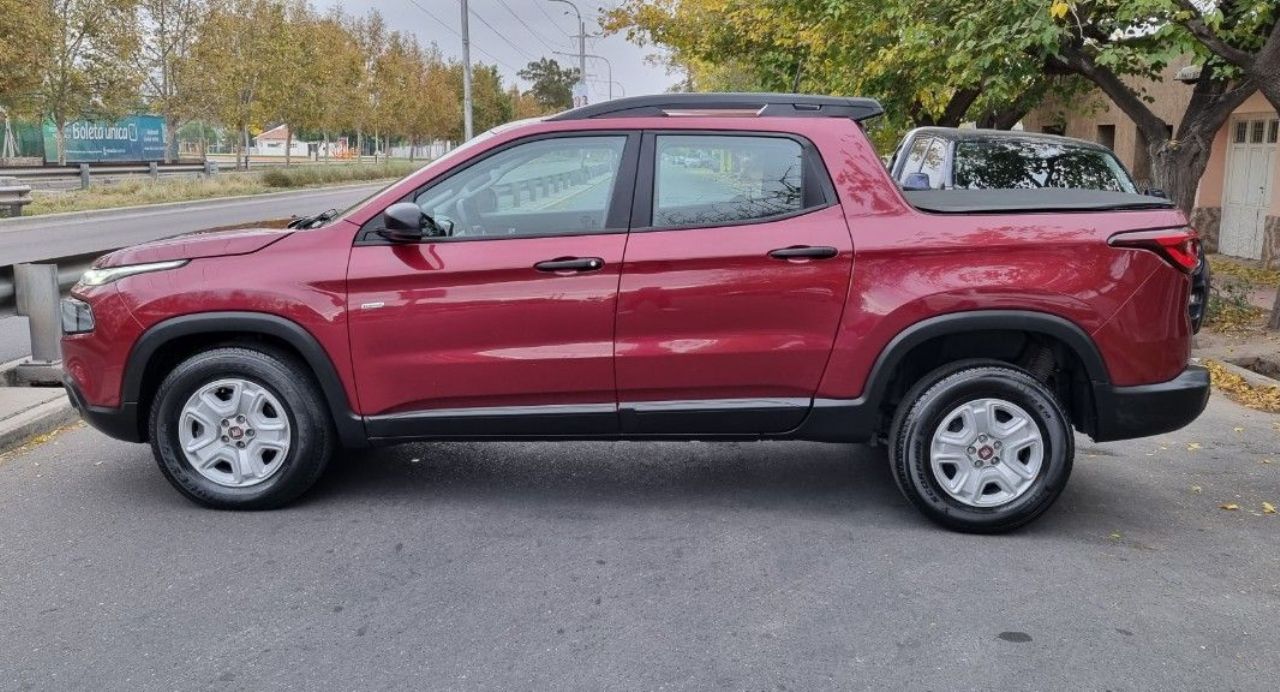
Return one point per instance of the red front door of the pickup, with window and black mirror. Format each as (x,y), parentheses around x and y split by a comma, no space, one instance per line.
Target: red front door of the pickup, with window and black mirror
(505,326)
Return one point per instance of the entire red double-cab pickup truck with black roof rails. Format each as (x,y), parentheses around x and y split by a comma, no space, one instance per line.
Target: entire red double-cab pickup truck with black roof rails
(662,268)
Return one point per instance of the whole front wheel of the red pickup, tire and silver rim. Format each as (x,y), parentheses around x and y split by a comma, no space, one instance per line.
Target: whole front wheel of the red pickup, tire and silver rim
(258,464)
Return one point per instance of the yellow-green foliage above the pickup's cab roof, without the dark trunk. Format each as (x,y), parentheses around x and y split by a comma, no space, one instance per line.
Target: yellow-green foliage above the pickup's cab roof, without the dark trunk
(907,54)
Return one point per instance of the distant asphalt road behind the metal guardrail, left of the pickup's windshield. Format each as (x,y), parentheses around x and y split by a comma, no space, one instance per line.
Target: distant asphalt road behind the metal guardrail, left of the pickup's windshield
(36,239)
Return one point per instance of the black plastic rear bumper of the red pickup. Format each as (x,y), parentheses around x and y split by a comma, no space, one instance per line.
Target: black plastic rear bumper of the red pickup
(1126,413)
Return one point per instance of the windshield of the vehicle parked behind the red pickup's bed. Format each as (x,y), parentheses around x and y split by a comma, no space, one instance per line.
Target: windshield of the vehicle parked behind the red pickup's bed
(1027,164)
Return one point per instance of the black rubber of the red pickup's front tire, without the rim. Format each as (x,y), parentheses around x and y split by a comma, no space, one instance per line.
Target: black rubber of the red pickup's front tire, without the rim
(310,437)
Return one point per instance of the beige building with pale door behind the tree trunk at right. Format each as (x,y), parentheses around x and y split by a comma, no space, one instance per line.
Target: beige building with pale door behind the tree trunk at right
(1238,200)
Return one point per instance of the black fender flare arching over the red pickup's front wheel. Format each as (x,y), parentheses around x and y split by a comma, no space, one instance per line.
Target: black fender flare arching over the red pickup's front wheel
(351,428)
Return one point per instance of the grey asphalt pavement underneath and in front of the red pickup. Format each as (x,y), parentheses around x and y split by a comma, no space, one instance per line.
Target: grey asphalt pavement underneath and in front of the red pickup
(766,566)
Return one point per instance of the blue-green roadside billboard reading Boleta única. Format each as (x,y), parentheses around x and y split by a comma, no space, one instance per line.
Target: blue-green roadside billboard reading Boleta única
(136,139)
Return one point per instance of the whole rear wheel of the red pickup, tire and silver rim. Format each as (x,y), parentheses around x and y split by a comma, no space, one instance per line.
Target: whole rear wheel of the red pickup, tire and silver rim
(990,487)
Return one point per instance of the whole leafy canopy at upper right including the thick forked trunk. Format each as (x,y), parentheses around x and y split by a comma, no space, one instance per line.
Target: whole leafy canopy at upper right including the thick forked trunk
(948,62)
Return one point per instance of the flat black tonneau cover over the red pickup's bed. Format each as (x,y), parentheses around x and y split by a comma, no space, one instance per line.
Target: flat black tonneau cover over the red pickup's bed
(1030,201)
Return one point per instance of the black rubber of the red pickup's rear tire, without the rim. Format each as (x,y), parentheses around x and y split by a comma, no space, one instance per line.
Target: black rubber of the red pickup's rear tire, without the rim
(940,393)
